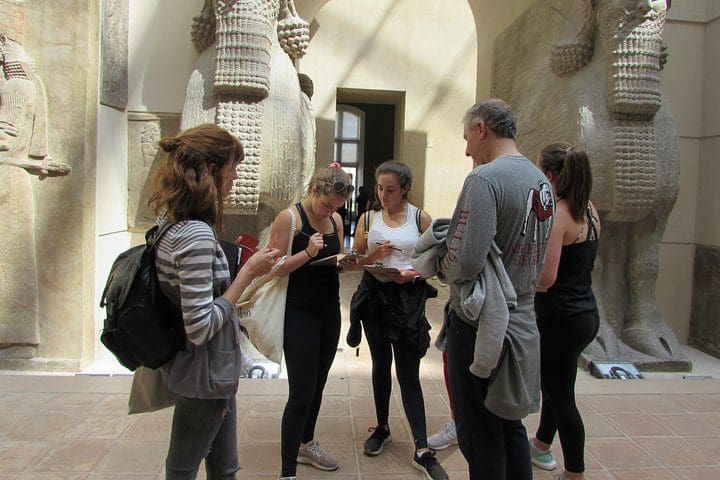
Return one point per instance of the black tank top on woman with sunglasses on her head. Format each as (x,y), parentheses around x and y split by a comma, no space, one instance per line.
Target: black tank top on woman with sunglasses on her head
(314,289)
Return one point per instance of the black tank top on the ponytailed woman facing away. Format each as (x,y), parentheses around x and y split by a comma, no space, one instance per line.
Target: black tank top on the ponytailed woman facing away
(572,294)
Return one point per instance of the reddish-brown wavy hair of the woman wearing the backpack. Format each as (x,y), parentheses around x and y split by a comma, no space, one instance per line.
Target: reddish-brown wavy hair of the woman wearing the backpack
(189,182)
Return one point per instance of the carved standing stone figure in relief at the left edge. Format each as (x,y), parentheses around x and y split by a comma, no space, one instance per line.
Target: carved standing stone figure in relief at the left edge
(23,151)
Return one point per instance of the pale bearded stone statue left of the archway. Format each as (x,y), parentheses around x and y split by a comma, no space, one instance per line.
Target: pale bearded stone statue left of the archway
(245,82)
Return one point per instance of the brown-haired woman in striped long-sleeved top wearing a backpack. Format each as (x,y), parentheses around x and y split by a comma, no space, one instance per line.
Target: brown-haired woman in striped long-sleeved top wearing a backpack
(190,187)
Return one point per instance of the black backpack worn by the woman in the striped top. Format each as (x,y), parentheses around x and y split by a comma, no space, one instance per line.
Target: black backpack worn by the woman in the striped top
(142,327)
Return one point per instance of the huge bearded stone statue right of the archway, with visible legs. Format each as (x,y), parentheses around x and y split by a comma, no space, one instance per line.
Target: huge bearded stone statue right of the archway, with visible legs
(601,91)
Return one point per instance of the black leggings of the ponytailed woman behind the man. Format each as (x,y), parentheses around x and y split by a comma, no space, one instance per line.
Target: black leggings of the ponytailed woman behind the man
(562,340)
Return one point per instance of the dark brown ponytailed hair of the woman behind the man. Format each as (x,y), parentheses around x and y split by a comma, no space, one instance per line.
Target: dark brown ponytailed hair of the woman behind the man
(573,175)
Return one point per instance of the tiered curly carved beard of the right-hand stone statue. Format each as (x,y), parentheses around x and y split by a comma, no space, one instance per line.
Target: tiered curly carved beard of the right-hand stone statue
(635,43)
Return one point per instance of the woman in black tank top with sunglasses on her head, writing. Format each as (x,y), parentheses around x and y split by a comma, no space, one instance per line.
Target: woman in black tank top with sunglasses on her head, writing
(312,312)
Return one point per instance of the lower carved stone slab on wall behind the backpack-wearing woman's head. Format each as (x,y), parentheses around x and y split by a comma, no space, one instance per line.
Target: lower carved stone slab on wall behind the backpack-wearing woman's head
(144,132)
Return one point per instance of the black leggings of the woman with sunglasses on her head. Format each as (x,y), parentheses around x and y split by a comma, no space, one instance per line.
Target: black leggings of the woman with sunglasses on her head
(310,344)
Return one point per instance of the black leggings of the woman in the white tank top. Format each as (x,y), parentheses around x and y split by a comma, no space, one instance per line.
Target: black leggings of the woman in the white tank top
(407,369)
